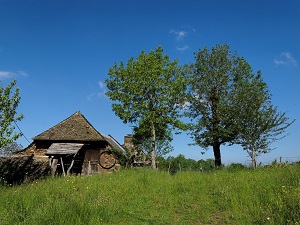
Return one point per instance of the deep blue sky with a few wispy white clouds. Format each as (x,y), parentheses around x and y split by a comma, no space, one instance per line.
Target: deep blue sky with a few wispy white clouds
(60,53)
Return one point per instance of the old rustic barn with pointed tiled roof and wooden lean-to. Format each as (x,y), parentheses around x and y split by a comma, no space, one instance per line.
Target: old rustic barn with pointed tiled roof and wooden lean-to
(74,146)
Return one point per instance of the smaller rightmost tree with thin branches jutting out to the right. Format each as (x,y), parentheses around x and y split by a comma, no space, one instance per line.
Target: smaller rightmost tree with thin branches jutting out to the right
(260,123)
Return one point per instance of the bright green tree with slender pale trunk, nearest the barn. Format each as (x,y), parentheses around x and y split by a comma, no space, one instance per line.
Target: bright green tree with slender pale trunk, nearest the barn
(148,88)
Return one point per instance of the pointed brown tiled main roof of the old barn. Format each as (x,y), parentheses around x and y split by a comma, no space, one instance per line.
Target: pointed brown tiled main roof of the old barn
(74,128)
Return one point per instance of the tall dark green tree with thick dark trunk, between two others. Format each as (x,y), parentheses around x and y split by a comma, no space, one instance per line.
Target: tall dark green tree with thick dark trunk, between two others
(215,94)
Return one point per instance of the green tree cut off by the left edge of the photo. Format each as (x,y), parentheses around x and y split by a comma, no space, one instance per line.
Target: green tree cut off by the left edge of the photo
(9,101)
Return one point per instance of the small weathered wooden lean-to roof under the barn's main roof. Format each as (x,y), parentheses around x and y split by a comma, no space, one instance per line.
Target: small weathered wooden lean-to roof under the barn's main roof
(63,148)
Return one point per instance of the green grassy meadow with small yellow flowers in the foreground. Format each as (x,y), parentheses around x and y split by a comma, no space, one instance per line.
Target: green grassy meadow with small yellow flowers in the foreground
(262,196)
